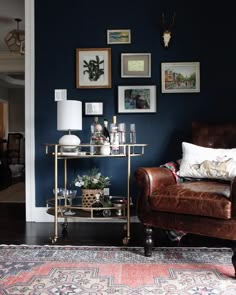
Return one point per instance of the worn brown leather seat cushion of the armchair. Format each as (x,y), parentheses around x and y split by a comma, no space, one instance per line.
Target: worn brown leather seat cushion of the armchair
(203,198)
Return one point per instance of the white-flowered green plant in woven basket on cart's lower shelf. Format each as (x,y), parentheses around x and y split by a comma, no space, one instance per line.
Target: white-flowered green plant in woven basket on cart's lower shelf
(91,184)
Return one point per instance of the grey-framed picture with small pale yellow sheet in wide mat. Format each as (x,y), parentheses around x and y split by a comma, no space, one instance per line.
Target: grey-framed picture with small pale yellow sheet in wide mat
(135,65)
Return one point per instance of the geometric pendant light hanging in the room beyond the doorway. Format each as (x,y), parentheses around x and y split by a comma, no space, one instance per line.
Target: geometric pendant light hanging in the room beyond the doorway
(15,39)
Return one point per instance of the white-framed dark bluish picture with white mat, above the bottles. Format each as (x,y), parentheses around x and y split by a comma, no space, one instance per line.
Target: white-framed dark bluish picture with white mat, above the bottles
(137,99)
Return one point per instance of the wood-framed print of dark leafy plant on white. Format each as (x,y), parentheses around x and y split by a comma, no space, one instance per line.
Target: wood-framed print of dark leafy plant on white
(93,67)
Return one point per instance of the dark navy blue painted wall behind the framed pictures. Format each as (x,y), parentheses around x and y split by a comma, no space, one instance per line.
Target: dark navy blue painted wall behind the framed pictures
(201,33)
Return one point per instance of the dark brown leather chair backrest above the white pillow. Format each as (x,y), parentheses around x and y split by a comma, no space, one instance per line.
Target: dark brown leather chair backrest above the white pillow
(214,135)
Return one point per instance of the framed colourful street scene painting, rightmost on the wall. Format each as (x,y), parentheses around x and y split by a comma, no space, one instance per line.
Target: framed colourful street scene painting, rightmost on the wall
(180,77)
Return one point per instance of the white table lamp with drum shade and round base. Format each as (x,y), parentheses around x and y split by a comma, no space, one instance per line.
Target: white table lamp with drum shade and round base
(69,117)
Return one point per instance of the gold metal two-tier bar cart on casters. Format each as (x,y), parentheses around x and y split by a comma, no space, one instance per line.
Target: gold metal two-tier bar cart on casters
(71,208)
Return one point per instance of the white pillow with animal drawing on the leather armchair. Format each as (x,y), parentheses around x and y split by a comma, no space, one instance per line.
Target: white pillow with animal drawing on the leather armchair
(202,162)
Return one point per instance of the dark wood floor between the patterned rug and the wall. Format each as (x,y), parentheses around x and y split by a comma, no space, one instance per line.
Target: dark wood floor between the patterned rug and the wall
(14,230)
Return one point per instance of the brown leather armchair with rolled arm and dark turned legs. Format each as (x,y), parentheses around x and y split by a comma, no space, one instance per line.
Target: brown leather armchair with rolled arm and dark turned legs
(197,207)
